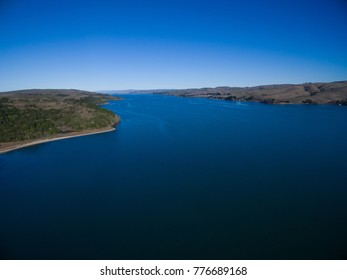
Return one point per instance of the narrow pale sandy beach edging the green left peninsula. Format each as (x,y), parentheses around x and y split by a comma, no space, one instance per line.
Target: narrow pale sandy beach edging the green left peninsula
(40,141)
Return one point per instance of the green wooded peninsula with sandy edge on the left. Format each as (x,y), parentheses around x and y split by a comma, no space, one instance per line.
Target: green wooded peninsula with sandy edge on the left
(30,117)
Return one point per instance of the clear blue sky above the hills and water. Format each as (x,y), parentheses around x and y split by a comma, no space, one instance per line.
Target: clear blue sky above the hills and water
(148,44)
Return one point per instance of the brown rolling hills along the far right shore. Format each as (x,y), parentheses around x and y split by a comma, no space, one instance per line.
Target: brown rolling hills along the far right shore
(307,93)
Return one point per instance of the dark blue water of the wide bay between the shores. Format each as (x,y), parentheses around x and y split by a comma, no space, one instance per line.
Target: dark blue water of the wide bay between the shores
(183,178)
